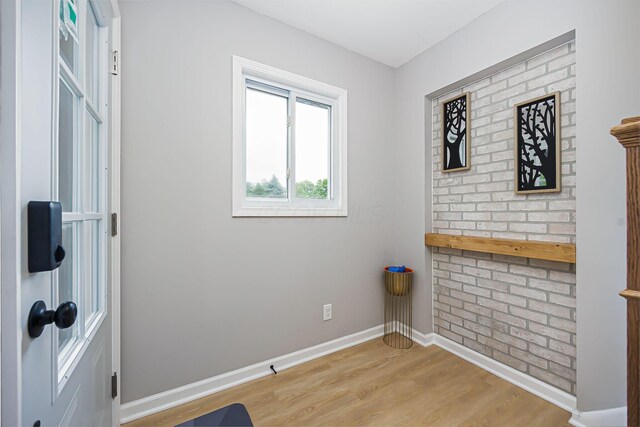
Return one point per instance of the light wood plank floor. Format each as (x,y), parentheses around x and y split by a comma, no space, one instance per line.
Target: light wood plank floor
(373,384)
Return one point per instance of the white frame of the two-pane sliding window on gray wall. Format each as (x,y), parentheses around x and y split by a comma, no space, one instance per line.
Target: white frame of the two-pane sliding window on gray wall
(298,87)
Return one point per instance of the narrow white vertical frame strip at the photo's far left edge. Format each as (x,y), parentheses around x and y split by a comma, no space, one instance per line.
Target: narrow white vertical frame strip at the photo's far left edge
(10,246)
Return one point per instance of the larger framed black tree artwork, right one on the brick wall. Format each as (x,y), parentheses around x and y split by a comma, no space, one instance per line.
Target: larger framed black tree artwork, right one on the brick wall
(537,145)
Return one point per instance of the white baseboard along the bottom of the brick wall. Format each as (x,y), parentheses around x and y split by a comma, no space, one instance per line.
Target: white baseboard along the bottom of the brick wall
(541,389)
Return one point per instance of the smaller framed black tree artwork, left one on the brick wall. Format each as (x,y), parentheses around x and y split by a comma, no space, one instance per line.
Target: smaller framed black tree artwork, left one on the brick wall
(456,133)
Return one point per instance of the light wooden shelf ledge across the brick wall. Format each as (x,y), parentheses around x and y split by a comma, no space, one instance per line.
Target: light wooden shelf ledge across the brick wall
(550,251)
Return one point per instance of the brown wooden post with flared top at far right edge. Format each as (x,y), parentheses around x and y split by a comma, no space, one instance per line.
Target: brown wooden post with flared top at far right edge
(628,134)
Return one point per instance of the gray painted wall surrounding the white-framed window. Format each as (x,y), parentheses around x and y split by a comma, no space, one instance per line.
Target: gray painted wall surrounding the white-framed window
(204,293)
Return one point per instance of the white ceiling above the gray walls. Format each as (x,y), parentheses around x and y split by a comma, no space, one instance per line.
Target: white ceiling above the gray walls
(389,31)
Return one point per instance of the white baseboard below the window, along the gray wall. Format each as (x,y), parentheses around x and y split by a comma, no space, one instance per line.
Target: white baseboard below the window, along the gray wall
(171,398)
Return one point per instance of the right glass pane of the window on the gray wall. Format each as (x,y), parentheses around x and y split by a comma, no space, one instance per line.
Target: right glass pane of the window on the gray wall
(313,137)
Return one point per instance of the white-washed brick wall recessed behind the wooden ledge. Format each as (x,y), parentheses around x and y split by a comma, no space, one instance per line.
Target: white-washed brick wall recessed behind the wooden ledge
(518,311)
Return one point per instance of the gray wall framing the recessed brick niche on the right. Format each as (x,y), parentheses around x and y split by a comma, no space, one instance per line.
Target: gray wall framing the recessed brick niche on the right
(608,63)
